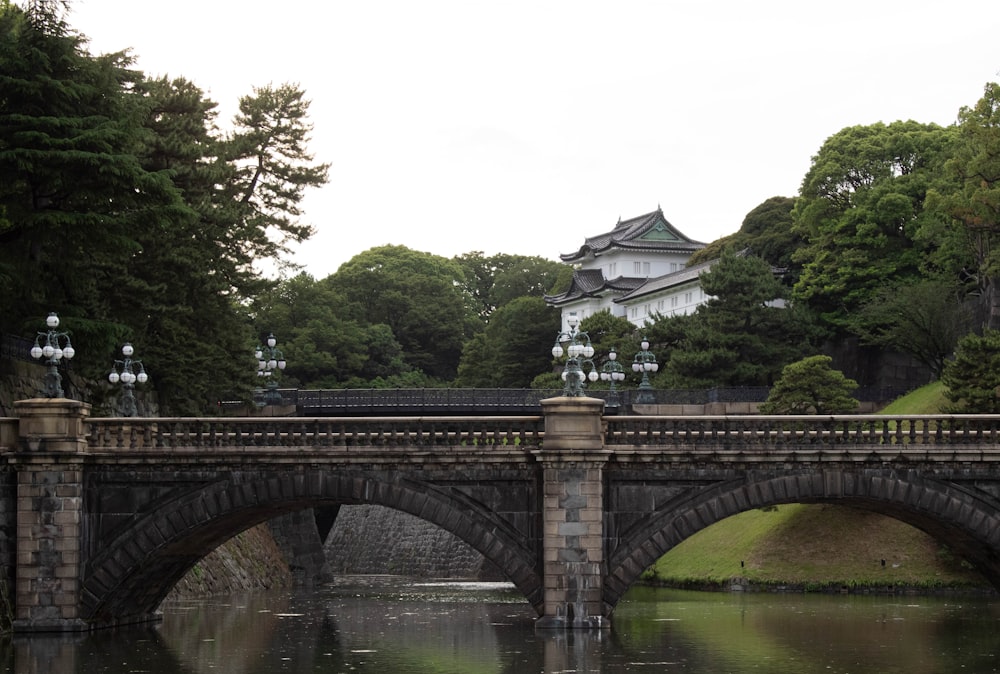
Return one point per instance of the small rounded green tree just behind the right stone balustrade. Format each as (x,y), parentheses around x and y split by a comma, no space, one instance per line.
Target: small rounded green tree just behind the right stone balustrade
(811,386)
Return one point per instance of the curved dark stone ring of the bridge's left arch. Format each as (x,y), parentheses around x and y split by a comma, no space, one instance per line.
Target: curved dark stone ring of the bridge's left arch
(126,581)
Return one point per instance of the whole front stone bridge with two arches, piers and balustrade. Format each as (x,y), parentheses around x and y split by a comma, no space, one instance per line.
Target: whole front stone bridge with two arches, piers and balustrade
(108,514)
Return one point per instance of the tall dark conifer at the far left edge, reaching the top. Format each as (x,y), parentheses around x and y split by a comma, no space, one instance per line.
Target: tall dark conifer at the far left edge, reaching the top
(73,192)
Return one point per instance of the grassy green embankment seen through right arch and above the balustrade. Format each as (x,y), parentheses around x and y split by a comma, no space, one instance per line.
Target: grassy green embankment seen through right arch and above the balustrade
(819,547)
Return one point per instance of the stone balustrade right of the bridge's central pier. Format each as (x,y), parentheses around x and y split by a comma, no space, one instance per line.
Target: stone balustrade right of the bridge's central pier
(754,431)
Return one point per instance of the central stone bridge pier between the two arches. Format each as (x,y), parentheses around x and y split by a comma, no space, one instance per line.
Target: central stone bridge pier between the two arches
(573,461)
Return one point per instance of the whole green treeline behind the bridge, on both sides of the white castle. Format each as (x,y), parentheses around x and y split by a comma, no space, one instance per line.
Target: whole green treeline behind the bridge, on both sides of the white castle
(125,209)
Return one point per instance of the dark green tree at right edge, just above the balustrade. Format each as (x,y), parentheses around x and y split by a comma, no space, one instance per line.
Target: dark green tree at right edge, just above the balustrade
(973,377)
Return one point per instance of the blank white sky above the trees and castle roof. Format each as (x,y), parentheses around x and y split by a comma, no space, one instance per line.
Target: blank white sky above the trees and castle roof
(521,127)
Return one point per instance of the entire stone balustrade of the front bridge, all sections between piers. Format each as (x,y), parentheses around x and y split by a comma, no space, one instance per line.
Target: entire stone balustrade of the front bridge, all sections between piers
(690,433)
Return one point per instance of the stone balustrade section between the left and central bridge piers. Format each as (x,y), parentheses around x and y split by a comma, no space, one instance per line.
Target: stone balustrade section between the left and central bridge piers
(344,432)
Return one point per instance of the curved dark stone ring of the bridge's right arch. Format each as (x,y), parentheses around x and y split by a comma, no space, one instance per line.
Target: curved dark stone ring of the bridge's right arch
(968,521)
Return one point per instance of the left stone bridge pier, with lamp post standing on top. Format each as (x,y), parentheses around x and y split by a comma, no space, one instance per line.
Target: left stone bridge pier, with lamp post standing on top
(49,502)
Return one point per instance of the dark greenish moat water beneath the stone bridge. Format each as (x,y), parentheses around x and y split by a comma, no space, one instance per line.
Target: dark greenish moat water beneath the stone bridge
(390,625)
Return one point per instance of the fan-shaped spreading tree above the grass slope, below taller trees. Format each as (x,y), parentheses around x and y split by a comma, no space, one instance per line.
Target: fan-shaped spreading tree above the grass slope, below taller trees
(924,319)
